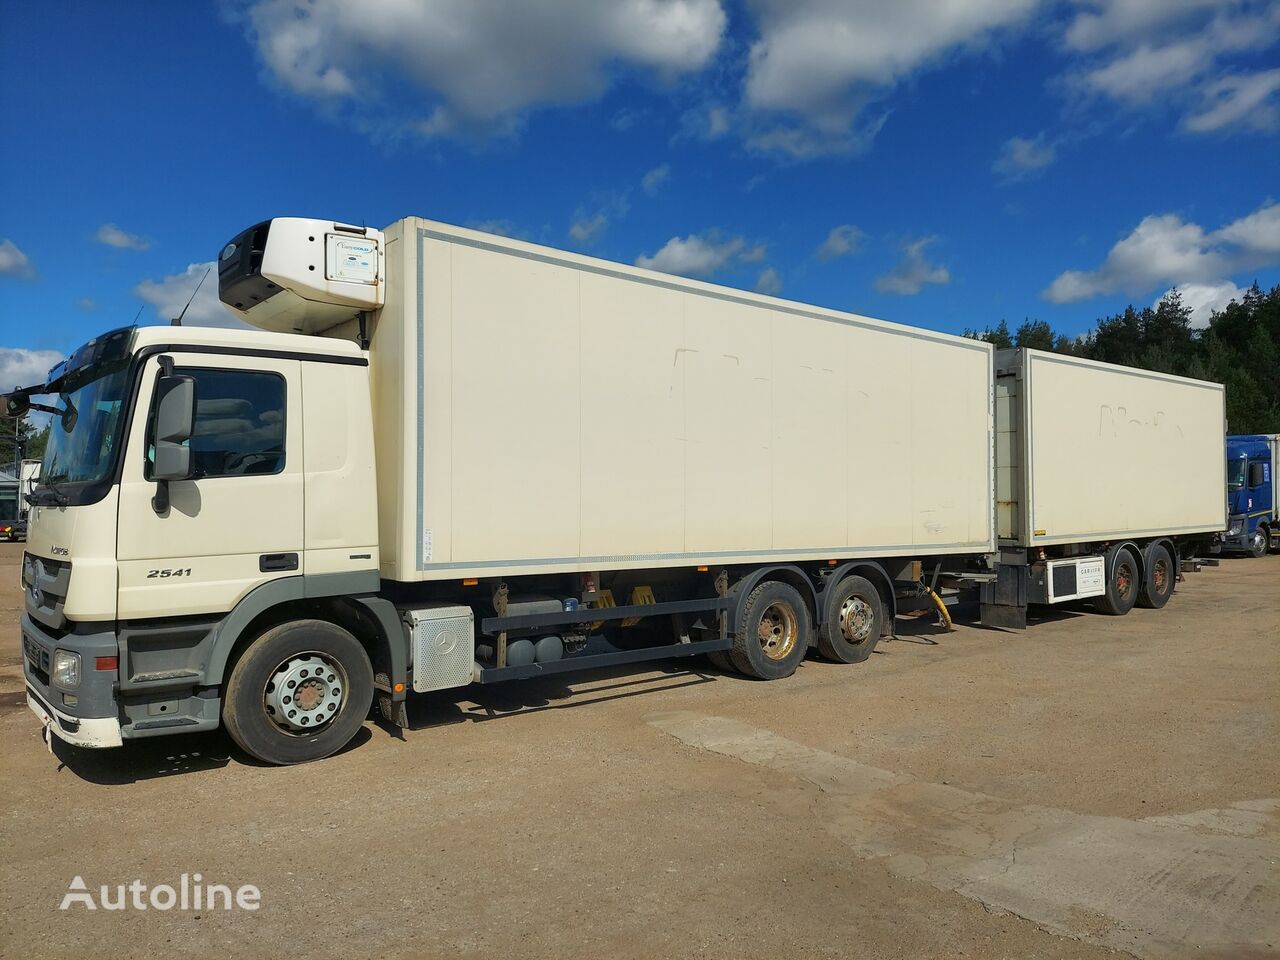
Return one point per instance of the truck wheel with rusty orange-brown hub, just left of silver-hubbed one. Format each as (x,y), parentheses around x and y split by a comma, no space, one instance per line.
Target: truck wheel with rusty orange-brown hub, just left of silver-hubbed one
(774,632)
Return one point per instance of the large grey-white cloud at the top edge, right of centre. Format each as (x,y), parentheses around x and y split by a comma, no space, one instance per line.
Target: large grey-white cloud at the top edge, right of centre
(821,63)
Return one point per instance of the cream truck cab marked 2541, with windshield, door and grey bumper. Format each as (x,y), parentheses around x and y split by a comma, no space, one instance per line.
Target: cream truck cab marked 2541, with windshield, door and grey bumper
(198,483)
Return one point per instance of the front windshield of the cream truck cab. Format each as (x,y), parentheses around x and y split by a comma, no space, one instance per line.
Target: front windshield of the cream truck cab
(84,435)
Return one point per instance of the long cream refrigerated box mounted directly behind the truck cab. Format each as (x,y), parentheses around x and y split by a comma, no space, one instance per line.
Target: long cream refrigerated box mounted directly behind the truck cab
(541,412)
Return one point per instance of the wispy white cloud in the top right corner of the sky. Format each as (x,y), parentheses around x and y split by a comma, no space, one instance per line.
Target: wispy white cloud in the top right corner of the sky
(1154,53)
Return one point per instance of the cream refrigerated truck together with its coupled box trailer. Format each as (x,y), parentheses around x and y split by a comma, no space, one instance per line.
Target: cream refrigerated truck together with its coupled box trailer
(450,458)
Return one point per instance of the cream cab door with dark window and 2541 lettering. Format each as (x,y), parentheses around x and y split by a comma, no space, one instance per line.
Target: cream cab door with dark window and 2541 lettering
(237,523)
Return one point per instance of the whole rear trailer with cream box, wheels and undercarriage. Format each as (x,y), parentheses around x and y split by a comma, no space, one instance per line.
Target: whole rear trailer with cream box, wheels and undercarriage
(1105,478)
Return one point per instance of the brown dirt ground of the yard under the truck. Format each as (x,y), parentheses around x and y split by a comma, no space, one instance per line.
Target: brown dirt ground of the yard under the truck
(1090,788)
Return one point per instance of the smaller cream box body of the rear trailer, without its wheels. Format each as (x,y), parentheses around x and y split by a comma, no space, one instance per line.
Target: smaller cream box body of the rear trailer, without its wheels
(1090,452)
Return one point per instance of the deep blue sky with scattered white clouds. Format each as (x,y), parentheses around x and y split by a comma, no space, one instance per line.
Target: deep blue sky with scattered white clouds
(939,163)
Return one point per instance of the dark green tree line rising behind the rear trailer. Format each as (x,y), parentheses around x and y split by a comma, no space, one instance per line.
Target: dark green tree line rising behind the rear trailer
(1240,348)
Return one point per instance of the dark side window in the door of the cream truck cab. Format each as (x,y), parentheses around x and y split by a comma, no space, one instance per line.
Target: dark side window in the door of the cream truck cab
(240,423)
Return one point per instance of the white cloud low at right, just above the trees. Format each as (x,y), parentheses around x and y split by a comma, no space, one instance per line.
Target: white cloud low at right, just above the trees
(1164,250)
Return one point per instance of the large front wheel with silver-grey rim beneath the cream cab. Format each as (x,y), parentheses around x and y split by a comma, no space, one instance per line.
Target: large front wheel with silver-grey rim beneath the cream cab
(299,693)
